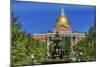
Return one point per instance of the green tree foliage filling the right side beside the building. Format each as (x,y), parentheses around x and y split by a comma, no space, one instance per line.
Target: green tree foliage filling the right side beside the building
(86,48)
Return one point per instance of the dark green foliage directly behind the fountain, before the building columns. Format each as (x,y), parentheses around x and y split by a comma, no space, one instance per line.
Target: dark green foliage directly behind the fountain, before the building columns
(64,45)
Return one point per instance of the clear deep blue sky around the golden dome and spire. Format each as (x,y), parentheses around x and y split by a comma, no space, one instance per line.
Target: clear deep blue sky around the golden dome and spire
(40,17)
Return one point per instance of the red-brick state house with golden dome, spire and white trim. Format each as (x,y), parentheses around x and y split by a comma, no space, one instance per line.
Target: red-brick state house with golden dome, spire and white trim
(63,28)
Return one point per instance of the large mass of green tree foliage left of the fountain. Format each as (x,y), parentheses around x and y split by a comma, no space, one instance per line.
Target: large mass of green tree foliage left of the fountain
(23,46)
